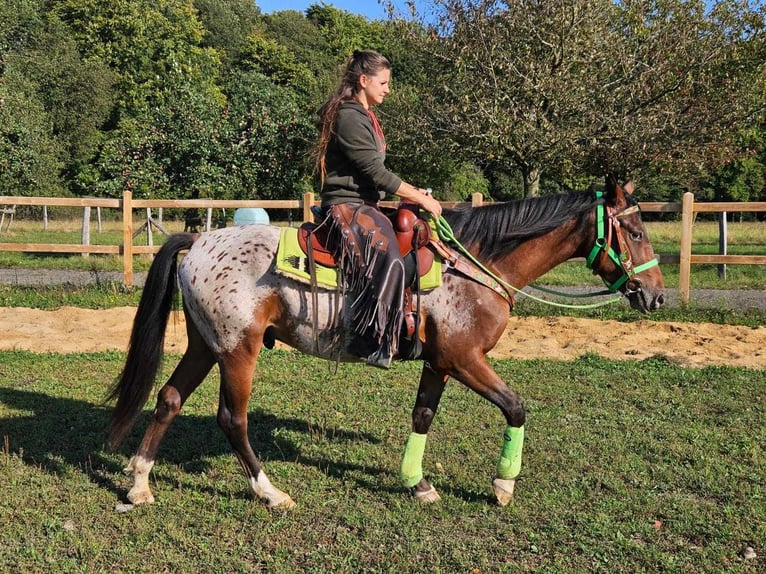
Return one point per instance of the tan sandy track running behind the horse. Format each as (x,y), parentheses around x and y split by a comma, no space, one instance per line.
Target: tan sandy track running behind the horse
(71,330)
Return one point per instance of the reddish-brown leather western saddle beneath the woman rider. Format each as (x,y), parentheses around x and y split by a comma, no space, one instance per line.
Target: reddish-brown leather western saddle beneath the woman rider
(412,233)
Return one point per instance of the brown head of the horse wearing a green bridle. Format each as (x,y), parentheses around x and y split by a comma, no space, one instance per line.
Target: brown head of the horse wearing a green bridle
(622,254)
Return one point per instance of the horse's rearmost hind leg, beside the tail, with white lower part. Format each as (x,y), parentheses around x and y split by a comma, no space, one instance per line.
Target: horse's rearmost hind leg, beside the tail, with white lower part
(187,376)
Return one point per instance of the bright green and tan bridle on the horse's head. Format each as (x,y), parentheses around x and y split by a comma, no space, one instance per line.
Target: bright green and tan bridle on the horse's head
(603,244)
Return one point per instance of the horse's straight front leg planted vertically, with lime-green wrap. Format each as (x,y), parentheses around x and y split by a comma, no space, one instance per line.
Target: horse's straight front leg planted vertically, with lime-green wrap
(430,392)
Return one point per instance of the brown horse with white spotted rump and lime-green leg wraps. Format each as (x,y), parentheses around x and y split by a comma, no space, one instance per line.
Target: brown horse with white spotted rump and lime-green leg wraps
(235,302)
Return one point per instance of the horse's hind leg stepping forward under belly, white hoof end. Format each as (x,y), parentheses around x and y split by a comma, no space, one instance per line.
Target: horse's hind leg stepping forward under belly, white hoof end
(237,370)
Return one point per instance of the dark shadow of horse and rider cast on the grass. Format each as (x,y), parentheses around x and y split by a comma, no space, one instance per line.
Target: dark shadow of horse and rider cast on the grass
(58,435)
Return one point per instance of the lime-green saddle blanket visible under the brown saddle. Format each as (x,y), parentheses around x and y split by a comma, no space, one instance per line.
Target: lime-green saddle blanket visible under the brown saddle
(293,262)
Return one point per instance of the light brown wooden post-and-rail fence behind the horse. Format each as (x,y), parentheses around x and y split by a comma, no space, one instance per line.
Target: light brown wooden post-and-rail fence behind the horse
(688,208)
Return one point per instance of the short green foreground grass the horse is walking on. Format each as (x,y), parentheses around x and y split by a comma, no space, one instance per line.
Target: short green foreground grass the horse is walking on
(628,467)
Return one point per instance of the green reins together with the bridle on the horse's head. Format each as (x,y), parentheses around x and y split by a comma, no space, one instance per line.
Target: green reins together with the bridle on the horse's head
(602,245)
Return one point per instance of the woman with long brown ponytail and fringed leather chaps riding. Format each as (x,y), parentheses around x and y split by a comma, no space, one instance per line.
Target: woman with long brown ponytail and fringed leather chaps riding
(350,163)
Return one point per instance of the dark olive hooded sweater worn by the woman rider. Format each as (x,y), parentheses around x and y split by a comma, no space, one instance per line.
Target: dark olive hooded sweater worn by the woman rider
(355,162)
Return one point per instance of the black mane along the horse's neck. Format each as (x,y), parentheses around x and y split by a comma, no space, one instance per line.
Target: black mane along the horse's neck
(497,229)
